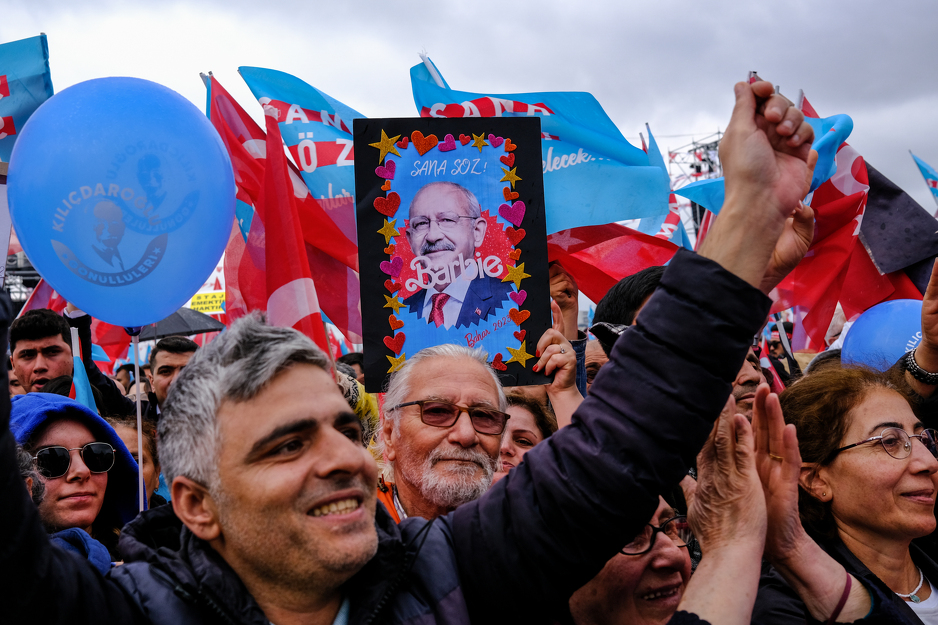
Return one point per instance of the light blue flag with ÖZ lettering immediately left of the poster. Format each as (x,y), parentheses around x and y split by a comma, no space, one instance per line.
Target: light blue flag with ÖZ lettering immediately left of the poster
(317,129)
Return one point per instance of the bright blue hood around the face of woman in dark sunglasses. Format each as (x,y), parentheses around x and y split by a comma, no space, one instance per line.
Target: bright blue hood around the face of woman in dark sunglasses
(30,414)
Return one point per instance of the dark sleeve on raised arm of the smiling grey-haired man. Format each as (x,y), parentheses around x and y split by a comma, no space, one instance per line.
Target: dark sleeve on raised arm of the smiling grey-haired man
(551,525)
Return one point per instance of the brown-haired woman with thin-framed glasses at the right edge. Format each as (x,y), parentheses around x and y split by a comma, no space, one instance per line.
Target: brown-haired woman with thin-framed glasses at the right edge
(867,490)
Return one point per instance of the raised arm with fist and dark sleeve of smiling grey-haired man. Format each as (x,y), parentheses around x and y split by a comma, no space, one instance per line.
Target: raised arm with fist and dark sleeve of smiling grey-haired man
(577,498)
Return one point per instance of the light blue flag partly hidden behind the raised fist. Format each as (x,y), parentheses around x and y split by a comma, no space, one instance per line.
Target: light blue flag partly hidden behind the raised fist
(829,134)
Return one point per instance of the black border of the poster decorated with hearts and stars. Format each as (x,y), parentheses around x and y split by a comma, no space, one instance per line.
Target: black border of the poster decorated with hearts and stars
(522,138)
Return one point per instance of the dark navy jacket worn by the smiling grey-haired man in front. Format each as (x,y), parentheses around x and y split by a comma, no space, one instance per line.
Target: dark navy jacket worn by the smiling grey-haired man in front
(514,556)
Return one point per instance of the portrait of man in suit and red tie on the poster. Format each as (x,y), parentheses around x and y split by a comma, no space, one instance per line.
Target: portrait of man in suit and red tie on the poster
(445,227)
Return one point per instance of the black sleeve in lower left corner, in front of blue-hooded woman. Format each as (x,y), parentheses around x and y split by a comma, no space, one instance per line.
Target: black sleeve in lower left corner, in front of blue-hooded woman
(38,582)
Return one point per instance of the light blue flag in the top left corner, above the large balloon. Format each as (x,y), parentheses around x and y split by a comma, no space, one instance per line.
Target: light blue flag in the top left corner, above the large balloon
(25,83)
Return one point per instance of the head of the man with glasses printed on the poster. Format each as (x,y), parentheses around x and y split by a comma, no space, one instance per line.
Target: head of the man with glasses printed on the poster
(440,227)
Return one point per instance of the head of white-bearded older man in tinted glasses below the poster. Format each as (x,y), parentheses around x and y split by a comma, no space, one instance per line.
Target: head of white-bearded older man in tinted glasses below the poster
(444,416)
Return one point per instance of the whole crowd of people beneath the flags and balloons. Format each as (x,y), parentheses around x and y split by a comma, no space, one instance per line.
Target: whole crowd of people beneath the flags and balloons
(656,479)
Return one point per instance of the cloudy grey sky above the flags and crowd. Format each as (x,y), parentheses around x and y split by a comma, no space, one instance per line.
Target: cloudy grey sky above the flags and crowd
(669,63)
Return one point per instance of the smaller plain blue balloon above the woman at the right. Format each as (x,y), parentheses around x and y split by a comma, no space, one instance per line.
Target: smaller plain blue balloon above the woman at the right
(883,334)
